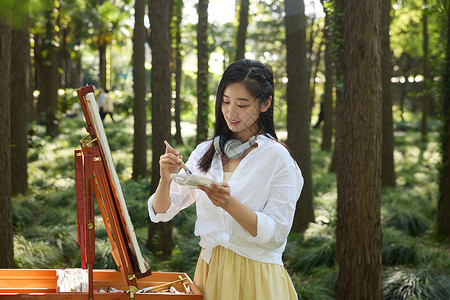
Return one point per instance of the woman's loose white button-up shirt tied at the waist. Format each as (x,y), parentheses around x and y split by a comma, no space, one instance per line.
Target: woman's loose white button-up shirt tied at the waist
(267,180)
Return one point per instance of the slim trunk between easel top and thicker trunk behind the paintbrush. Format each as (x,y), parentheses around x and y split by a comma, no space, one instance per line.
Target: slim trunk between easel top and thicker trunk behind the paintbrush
(139,88)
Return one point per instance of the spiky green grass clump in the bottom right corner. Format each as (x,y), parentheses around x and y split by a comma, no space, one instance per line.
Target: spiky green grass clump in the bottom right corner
(421,285)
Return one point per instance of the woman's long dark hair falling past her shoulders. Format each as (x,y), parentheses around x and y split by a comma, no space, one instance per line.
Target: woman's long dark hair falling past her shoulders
(257,79)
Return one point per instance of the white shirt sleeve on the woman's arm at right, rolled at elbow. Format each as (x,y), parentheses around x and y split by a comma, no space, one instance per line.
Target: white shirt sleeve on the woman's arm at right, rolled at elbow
(275,220)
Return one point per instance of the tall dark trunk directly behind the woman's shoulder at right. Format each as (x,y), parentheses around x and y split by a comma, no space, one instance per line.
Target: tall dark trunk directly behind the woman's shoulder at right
(298,112)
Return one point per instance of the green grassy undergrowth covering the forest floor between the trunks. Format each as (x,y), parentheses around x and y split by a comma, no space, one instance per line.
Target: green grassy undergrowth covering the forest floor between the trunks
(415,261)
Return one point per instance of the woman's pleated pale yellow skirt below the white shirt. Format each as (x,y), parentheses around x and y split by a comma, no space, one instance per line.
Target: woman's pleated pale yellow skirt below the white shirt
(230,276)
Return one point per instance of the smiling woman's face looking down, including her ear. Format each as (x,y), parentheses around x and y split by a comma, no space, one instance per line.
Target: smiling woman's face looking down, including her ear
(241,110)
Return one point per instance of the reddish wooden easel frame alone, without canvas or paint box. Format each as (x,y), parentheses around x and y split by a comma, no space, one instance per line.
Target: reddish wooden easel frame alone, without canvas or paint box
(93,180)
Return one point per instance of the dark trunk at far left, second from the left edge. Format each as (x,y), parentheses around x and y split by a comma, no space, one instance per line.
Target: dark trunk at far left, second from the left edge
(20,100)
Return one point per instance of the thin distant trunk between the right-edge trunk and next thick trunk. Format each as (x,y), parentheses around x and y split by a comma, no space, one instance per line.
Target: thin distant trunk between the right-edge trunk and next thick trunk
(426,74)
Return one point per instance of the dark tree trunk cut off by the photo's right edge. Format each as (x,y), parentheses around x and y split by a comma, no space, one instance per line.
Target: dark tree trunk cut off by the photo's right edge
(444,188)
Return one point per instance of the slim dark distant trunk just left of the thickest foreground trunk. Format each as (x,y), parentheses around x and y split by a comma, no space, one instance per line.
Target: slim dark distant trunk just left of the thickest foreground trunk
(327,131)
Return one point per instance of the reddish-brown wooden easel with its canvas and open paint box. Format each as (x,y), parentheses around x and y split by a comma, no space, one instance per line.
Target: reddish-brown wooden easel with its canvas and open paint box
(96,179)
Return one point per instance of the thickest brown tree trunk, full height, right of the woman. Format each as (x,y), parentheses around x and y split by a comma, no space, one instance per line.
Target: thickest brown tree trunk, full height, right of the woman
(358,237)
